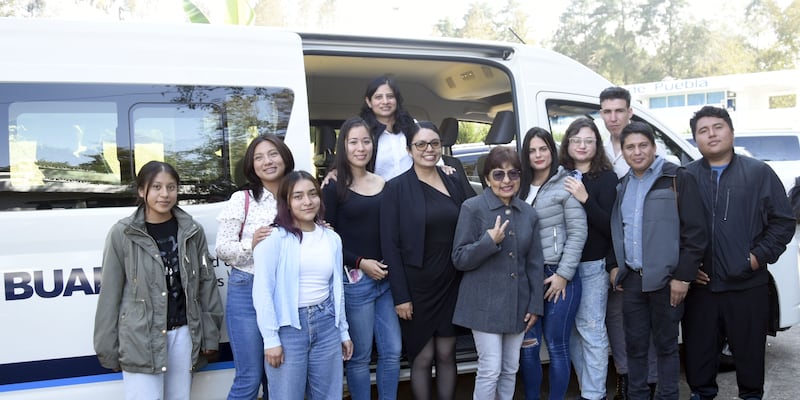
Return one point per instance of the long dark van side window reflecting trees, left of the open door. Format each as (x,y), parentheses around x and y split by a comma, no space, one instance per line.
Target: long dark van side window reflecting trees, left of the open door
(80,145)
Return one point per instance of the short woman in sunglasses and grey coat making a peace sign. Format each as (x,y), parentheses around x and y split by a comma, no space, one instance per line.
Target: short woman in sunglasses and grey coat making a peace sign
(497,246)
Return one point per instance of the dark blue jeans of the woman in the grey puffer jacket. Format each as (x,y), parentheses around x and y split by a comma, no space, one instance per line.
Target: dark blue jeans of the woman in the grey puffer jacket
(556,324)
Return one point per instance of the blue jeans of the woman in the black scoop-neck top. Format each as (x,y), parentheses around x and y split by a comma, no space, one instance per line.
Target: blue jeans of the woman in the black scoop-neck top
(370,313)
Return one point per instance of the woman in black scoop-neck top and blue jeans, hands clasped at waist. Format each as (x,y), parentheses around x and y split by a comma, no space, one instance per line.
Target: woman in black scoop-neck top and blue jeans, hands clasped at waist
(352,207)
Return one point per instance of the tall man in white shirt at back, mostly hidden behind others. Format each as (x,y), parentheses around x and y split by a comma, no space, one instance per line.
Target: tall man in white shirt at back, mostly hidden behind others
(616,111)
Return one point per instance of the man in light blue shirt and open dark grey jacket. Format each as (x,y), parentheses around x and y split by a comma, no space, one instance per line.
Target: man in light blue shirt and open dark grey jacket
(659,238)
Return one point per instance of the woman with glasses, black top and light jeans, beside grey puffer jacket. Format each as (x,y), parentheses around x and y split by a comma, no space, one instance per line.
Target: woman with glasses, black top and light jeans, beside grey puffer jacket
(582,150)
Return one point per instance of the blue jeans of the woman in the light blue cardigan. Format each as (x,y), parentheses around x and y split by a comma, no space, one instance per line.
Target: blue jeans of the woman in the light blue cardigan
(312,357)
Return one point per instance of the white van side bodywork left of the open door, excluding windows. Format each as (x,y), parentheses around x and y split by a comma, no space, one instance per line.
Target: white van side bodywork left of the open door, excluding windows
(65,241)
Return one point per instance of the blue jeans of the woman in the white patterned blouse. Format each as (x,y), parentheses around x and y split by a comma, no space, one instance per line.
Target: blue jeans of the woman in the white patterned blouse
(246,343)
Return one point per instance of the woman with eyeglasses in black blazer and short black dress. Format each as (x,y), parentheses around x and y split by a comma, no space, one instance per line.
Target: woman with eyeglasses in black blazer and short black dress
(419,212)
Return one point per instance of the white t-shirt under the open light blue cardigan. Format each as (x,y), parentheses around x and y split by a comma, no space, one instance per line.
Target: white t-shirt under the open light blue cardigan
(316,268)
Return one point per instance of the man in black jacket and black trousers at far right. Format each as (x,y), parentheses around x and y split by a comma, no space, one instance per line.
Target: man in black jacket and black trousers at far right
(750,223)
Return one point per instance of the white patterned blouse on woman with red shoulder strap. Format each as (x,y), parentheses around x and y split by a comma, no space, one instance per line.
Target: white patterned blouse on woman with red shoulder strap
(230,249)
